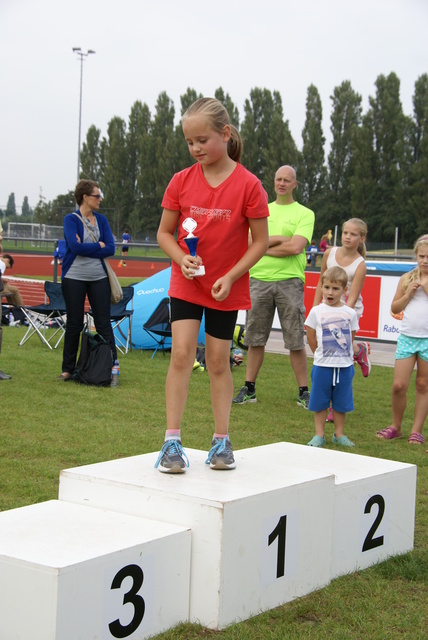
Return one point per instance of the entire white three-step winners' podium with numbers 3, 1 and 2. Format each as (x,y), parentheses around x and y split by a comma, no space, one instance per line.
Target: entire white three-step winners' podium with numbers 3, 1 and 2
(129,552)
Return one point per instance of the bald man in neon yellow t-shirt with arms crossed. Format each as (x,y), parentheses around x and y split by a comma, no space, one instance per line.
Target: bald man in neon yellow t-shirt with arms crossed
(277,282)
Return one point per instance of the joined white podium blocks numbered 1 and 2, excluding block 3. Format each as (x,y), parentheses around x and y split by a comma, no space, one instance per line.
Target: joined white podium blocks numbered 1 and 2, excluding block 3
(287,520)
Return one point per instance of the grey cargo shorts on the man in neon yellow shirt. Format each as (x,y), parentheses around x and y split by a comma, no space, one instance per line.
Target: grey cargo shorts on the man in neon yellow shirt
(287,296)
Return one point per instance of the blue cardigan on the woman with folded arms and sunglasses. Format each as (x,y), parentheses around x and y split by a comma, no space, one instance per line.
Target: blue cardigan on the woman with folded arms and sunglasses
(73,248)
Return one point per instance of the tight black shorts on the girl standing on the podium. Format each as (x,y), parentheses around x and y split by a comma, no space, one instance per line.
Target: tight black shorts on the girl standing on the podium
(218,324)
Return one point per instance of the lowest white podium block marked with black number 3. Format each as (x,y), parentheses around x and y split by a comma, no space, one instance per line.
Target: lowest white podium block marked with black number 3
(69,571)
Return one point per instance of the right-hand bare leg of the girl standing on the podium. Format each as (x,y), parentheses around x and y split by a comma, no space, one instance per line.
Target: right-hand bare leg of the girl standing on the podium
(217,353)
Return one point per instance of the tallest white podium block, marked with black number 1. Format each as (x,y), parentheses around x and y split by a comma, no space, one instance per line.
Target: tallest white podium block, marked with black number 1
(256,530)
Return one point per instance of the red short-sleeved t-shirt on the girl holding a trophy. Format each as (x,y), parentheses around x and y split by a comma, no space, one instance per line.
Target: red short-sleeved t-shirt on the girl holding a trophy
(221,214)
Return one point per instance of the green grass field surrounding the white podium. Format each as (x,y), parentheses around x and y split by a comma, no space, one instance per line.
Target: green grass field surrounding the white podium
(49,425)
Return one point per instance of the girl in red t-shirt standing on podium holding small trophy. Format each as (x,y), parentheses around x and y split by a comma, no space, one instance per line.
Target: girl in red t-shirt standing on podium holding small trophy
(224,202)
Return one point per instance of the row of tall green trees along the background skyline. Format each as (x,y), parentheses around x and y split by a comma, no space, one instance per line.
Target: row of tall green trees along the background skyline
(376,168)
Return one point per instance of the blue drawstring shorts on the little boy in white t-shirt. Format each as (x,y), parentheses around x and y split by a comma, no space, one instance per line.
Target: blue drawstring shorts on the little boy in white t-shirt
(331,384)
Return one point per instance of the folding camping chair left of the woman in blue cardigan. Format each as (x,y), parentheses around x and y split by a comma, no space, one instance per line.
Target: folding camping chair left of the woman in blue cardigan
(48,317)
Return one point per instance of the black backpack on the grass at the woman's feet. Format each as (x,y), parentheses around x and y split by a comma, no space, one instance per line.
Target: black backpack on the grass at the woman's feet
(95,361)
